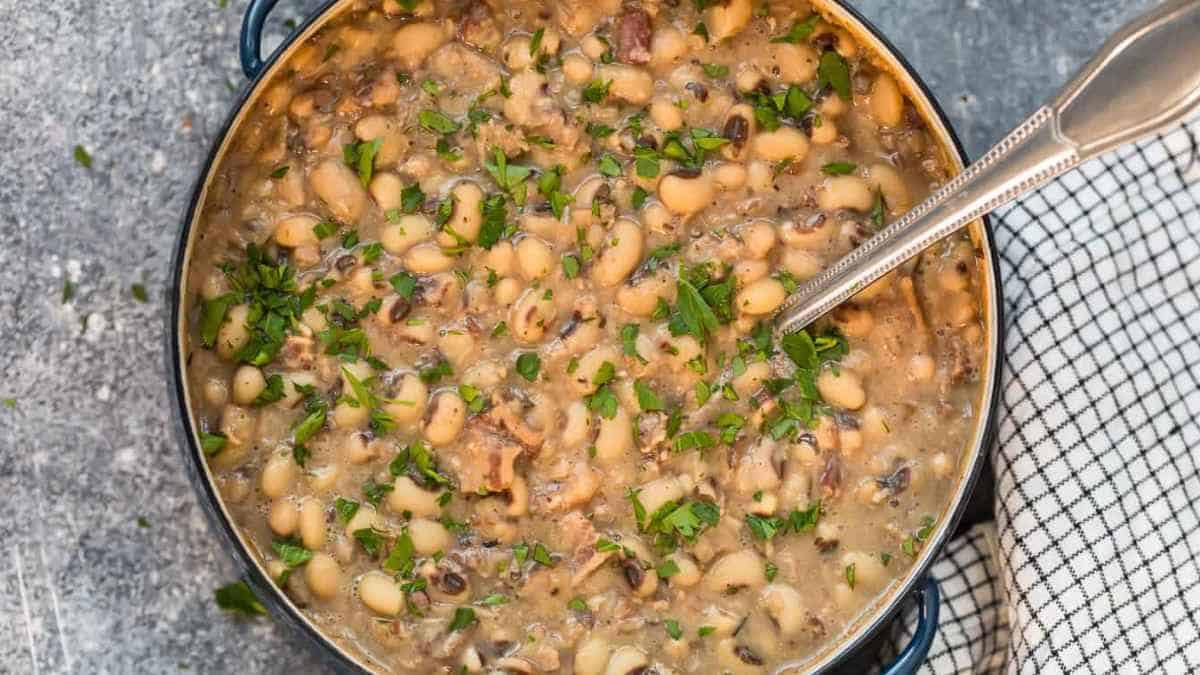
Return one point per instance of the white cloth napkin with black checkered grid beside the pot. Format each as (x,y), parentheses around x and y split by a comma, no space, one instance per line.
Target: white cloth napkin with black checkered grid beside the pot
(1094,563)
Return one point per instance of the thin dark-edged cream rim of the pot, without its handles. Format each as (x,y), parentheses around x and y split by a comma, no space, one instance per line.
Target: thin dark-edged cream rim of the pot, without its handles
(873,619)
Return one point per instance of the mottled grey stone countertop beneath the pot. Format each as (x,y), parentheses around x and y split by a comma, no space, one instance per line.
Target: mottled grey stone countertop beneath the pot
(87,439)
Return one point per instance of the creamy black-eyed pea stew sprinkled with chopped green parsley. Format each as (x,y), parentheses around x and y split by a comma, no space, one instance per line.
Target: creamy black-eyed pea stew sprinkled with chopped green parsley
(479,338)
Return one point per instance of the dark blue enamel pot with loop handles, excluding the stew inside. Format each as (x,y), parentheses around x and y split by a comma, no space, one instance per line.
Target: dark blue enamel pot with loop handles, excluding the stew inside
(919,586)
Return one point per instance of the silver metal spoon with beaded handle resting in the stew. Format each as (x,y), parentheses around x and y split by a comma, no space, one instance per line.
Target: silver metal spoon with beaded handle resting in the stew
(1145,80)
